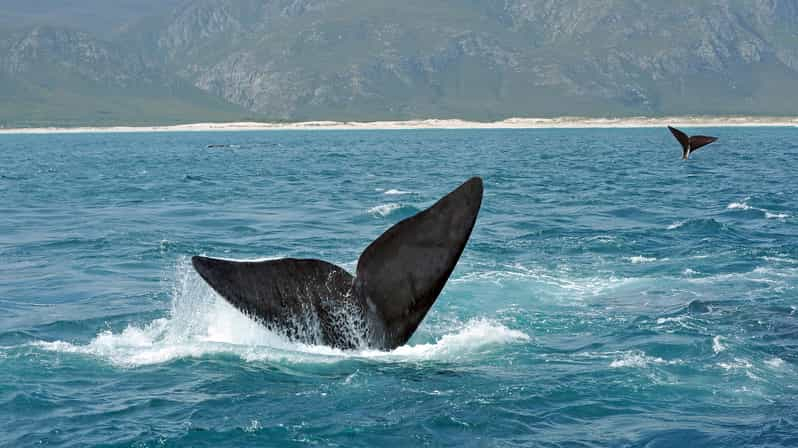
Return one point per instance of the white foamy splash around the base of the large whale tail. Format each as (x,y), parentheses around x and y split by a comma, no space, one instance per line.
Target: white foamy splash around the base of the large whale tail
(201,323)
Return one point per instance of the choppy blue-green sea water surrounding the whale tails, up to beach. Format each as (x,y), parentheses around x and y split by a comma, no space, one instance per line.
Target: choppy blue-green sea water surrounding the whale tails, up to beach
(610,295)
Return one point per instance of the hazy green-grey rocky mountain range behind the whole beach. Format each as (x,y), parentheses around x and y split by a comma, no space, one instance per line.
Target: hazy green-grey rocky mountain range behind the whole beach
(97,62)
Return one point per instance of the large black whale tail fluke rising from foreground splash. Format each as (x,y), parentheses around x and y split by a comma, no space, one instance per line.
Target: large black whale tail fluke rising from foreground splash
(398,278)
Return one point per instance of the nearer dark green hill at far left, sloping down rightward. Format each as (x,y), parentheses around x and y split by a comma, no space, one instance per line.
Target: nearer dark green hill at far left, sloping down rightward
(55,76)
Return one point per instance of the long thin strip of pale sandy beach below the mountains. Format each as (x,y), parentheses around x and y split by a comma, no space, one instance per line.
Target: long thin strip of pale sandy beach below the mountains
(510,123)
